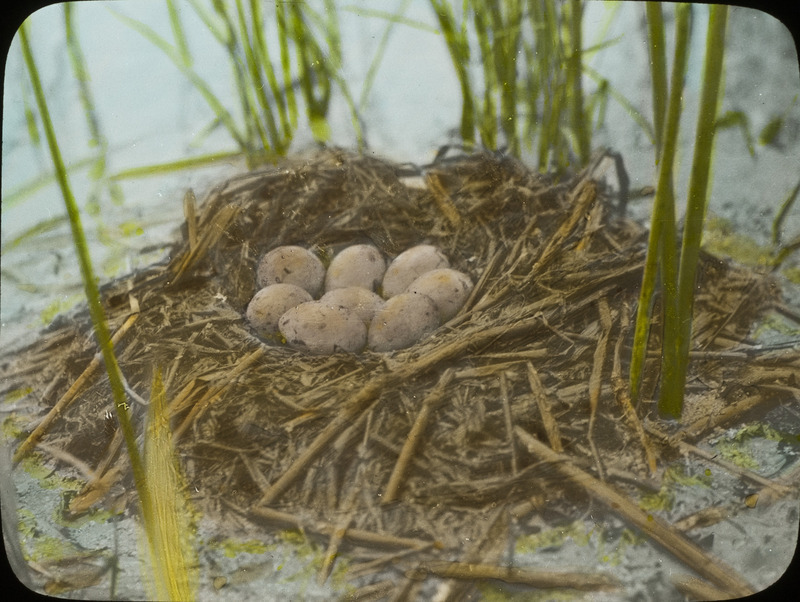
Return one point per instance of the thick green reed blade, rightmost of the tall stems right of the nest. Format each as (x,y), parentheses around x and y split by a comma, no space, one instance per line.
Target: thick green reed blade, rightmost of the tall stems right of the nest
(671,401)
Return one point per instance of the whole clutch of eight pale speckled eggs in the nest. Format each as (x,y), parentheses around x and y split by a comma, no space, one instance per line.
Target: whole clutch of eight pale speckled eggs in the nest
(358,302)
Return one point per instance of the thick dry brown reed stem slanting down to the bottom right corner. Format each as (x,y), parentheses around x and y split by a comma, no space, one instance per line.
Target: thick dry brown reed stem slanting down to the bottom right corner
(657,529)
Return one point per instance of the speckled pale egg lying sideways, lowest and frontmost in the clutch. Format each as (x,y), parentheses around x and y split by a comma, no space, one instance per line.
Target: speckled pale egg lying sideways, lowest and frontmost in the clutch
(320,328)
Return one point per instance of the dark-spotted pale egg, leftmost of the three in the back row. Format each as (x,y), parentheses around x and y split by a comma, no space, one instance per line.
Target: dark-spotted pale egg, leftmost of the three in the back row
(291,265)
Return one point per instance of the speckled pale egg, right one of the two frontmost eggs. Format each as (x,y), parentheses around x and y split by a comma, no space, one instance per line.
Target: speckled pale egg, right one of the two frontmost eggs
(405,319)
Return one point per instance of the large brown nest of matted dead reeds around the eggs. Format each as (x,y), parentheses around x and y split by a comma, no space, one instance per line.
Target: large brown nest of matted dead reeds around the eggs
(422,459)
